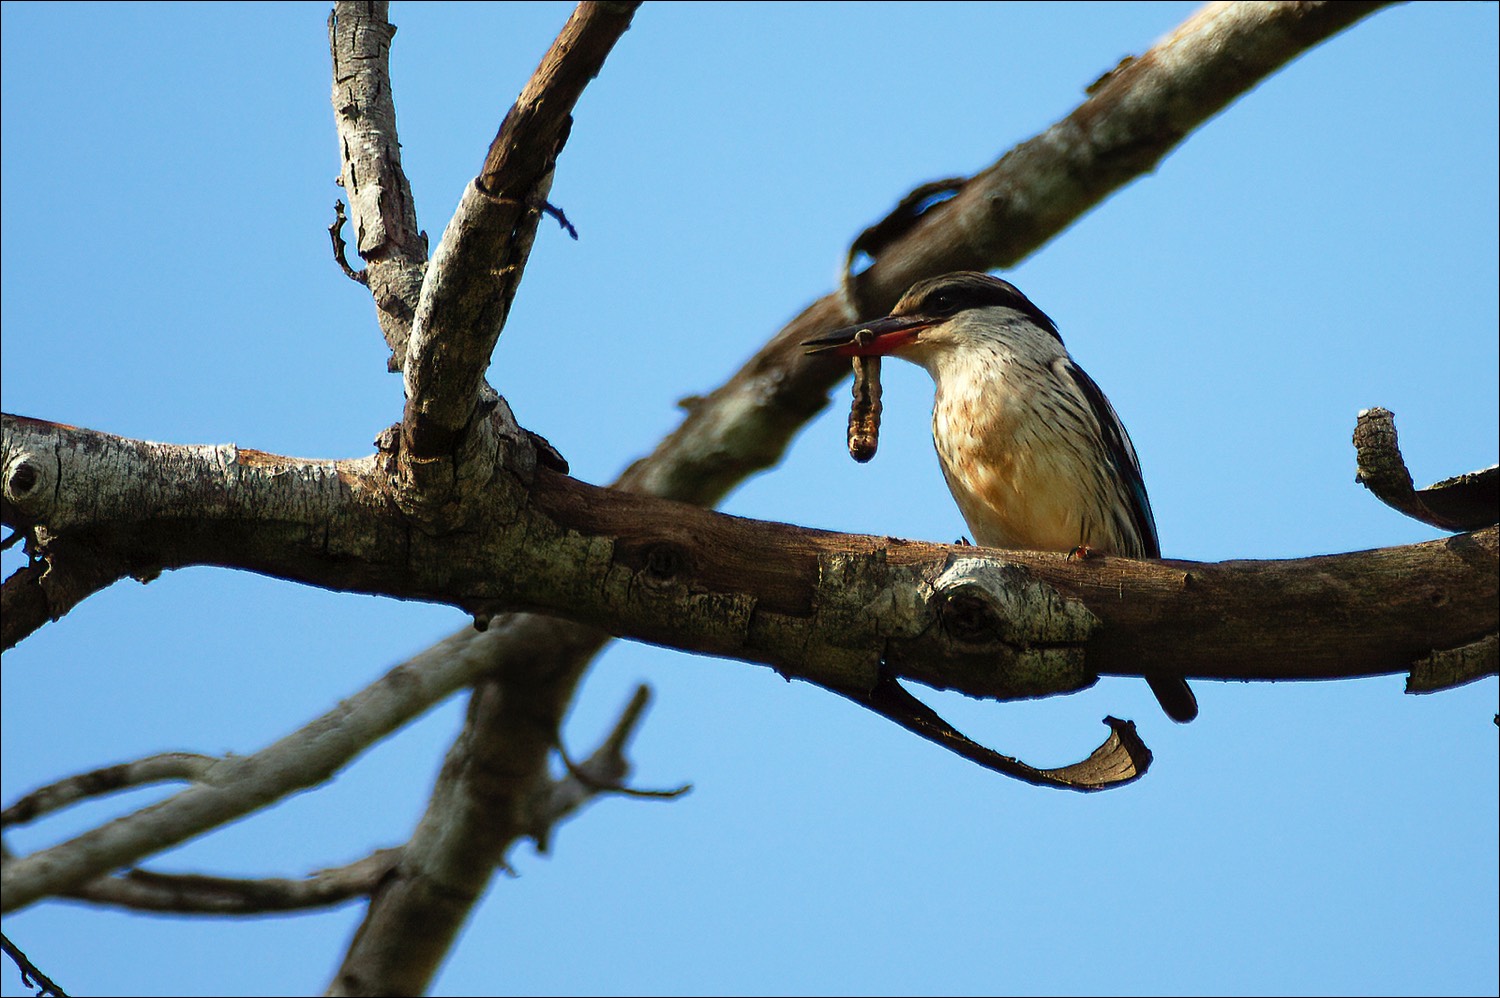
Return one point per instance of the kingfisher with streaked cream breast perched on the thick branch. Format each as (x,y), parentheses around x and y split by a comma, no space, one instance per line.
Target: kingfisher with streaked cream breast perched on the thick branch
(1033,451)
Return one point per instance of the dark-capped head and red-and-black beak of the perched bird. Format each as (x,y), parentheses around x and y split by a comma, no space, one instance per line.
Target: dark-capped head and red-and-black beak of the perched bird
(940,313)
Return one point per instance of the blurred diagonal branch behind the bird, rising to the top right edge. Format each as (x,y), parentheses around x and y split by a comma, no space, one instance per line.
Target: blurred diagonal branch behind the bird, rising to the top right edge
(1135,116)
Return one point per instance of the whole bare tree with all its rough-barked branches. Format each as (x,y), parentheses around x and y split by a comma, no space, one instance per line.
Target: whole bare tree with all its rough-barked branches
(463,507)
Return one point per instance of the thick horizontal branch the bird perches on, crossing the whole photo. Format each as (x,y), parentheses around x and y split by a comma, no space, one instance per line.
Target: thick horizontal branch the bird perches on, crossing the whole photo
(821,606)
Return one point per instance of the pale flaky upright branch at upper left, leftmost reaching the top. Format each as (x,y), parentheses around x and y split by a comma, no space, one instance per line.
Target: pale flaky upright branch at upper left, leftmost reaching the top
(395,251)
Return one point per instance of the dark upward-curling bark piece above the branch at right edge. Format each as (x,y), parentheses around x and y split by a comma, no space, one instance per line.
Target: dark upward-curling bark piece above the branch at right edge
(1466,502)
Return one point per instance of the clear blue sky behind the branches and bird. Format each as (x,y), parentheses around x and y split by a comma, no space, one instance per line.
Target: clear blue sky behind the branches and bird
(1327,244)
